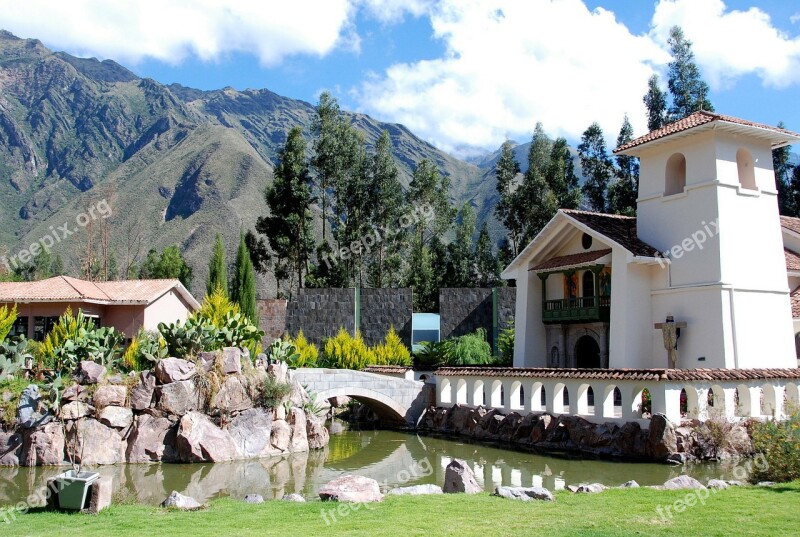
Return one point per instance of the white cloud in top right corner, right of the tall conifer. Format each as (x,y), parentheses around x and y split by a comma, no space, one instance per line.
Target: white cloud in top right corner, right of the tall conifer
(731,43)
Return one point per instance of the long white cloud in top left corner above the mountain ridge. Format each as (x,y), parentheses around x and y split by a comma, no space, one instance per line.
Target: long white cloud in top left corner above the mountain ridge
(170,31)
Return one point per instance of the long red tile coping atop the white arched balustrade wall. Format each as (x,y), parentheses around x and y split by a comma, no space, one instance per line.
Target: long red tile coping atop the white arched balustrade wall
(659,375)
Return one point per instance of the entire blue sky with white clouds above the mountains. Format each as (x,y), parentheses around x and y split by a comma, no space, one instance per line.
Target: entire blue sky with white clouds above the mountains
(462,74)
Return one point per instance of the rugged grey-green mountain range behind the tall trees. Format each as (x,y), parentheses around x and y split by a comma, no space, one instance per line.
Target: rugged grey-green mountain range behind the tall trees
(176,164)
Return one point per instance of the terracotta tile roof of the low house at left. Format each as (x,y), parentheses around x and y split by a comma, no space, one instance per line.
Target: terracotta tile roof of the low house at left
(67,289)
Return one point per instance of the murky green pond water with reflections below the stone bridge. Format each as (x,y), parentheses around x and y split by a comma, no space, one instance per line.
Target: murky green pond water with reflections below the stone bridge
(392,458)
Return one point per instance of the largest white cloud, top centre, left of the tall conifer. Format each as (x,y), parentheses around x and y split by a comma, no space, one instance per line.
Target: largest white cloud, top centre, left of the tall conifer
(509,64)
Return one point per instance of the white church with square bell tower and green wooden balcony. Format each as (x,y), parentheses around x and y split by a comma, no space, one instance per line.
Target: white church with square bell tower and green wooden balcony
(707,247)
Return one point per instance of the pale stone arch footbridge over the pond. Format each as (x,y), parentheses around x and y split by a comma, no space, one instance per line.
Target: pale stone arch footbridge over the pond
(394,399)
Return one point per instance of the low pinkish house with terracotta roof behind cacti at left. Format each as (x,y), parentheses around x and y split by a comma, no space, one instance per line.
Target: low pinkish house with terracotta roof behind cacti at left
(127,305)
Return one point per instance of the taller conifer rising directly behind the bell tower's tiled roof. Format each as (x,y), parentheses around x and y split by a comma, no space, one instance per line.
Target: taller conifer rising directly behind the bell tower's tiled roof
(689,91)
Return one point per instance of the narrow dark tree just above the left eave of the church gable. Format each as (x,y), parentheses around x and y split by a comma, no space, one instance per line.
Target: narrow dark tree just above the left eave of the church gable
(508,209)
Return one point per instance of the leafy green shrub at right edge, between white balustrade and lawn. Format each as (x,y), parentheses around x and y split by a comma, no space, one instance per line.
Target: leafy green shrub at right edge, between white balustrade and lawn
(779,443)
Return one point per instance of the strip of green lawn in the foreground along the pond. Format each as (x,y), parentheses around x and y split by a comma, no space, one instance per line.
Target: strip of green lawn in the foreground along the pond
(735,511)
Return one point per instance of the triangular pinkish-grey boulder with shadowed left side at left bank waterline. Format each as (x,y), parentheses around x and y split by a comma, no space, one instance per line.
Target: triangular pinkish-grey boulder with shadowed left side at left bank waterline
(199,440)
